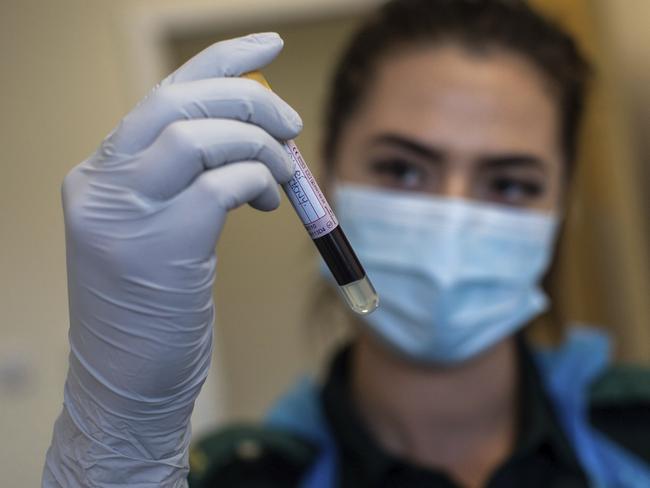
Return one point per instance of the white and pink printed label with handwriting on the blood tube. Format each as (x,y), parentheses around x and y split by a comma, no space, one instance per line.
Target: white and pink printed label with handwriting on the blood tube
(307,198)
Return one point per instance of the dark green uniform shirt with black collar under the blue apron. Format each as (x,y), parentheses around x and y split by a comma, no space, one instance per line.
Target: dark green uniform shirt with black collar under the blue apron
(249,456)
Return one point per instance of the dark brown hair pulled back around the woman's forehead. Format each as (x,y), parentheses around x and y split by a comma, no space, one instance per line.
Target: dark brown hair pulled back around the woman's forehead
(479,25)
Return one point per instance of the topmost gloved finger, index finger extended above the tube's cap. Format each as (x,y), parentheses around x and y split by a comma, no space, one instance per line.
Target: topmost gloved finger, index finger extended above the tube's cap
(232,57)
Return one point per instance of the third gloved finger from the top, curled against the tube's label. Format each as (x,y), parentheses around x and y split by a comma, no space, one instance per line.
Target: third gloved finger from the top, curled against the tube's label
(185,149)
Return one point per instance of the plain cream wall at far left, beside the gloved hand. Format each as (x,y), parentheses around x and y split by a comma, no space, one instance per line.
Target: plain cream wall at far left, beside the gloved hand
(60,92)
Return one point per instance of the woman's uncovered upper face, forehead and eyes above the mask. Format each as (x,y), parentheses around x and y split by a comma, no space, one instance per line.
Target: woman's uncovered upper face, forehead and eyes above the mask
(452,123)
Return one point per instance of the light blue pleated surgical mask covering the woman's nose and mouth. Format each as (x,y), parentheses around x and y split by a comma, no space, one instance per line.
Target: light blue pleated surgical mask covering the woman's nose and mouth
(454,277)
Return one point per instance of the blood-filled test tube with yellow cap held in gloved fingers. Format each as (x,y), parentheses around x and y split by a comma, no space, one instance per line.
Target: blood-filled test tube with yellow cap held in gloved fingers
(323,227)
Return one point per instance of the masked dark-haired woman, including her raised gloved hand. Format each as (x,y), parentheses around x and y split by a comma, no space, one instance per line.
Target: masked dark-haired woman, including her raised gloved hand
(450,138)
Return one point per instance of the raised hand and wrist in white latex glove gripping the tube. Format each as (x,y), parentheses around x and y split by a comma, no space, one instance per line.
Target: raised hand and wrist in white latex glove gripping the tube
(143,215)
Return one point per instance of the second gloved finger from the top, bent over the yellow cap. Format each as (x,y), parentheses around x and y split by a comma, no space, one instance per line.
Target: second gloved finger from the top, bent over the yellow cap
(224,98)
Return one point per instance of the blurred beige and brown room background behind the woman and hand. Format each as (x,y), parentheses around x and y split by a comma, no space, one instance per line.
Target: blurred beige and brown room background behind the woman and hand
(73,68)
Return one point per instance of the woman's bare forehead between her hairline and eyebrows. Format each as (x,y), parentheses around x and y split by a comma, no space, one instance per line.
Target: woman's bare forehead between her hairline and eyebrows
(456,99)
